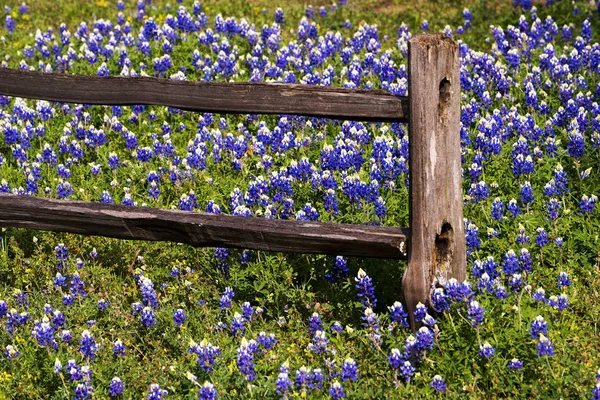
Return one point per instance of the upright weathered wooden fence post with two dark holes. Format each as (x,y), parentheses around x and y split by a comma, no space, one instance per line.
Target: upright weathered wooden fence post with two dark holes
(437,240)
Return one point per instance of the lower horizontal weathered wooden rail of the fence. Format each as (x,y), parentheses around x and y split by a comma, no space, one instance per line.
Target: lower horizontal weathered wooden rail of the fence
(202,229)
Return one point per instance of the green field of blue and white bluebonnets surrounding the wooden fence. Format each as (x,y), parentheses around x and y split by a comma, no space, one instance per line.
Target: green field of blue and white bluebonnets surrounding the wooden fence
(89,317)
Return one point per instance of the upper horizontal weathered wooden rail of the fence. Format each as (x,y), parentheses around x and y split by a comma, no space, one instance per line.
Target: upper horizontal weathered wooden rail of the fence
(219,97)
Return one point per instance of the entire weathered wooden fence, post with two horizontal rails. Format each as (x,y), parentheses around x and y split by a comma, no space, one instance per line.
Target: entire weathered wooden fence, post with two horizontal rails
(435,242)
